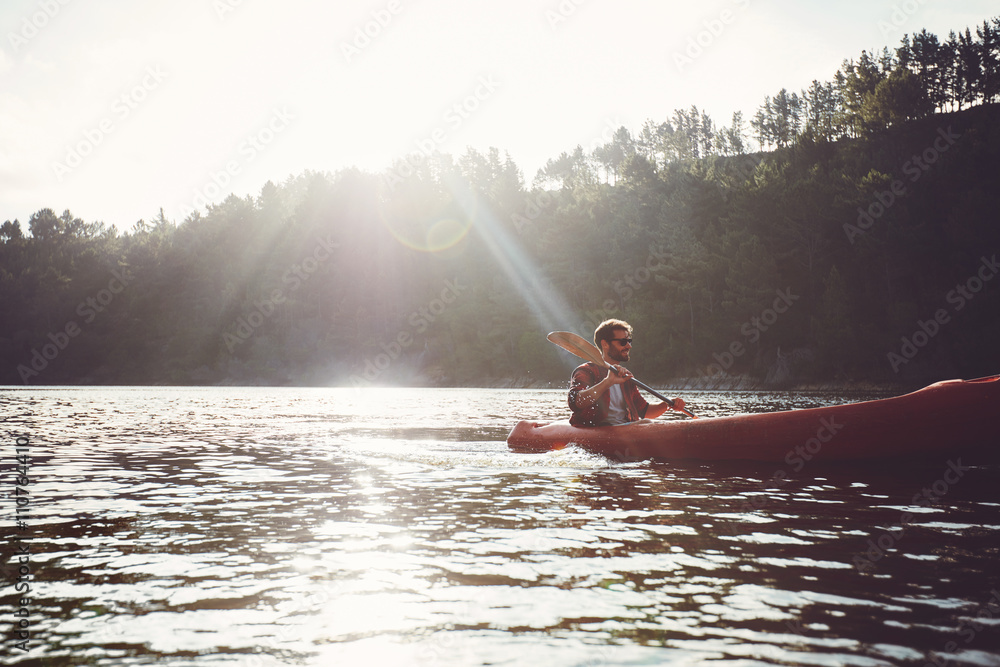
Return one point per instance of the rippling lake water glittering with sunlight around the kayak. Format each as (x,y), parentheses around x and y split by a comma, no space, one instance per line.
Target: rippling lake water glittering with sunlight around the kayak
(252,526)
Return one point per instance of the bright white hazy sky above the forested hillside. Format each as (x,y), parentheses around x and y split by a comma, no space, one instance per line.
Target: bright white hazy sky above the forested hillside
(115,109)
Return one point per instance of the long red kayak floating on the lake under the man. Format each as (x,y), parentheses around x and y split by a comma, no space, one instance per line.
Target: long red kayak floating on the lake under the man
(948,418)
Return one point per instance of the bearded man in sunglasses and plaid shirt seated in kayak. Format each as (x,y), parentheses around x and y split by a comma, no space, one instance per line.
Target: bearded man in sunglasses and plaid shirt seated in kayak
(598,397)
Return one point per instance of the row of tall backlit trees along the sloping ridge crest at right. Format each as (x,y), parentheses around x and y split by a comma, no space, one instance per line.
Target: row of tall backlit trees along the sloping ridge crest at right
(922,76)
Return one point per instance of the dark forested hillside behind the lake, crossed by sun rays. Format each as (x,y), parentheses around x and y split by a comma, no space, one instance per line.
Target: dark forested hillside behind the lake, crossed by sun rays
(849,231)
